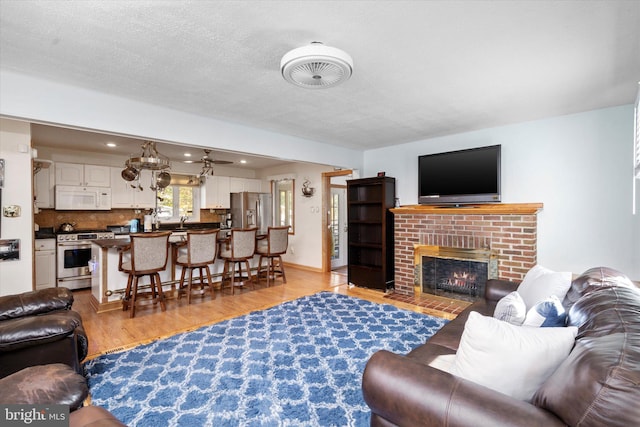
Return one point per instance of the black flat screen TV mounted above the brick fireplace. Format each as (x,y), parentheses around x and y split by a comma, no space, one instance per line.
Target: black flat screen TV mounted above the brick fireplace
(460,177)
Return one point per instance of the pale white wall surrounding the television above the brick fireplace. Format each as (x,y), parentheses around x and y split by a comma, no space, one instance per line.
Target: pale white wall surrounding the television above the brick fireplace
(578,165)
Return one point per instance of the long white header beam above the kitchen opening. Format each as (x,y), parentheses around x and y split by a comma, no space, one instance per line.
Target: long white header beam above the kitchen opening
(42,101)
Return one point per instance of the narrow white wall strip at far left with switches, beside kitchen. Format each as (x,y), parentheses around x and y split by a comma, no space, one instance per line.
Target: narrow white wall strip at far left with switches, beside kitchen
(15,138)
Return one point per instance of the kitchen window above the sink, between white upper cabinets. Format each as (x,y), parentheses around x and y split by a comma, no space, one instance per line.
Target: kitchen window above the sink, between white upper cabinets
(177,201)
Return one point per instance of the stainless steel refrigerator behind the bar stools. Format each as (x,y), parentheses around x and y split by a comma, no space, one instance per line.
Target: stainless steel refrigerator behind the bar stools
(251,210)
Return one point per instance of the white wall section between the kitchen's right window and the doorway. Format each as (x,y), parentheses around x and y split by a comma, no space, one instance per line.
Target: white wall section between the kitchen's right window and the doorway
(305,246)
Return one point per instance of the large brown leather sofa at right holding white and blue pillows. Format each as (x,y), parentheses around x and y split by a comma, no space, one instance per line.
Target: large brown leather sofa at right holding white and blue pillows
(597,385)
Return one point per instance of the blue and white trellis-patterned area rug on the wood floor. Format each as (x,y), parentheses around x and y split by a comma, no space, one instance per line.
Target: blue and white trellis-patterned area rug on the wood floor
(297,364)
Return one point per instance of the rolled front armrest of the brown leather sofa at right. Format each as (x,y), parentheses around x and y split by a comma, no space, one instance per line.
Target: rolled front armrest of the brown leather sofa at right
(406,392)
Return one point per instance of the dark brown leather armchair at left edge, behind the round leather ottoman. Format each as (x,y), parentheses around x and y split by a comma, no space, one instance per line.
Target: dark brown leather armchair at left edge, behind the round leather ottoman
(39,328)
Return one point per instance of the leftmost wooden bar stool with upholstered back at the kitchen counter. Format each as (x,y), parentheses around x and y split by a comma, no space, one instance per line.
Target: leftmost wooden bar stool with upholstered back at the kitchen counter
(148,257)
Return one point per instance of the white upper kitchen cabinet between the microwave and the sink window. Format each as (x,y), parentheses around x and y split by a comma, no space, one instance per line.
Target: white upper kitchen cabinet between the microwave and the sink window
(126,197)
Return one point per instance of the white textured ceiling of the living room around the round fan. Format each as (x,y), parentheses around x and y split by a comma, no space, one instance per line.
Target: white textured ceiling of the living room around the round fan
(421,68)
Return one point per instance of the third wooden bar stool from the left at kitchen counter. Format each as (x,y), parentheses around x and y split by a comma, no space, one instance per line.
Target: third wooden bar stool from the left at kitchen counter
(238,250)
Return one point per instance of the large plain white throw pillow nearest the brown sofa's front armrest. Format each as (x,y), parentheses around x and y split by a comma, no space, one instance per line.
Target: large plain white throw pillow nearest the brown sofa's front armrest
(514,360)
